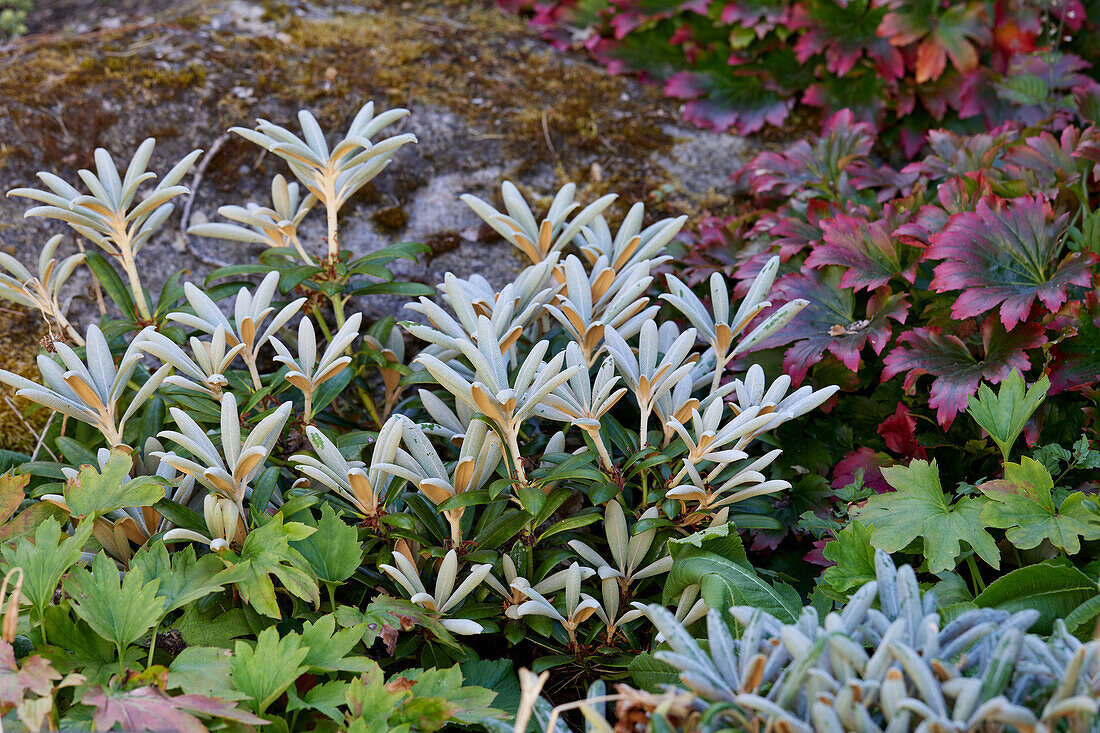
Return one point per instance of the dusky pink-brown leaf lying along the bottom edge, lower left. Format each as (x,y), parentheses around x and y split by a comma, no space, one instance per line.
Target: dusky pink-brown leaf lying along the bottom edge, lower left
(151,709)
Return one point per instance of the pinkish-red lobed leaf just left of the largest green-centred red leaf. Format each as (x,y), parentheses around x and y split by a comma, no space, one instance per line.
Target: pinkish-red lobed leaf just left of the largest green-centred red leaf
(868,249)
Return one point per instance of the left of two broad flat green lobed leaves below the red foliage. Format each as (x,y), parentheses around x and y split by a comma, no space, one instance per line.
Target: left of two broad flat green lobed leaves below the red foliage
(919,510)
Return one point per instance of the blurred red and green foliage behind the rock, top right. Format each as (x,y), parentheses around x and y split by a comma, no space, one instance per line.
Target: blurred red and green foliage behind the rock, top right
(745,64)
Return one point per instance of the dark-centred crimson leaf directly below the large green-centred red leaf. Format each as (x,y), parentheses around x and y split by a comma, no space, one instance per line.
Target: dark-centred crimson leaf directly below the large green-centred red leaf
(960,367)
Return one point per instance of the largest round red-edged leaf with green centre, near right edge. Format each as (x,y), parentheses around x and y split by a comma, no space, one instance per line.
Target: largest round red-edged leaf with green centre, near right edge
(1007,257)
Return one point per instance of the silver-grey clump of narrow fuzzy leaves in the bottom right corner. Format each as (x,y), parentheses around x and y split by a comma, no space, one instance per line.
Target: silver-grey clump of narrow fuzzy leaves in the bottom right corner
(889,669)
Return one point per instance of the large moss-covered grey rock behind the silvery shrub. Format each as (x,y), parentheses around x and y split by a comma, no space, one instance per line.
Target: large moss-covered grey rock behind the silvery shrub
(490,102)
